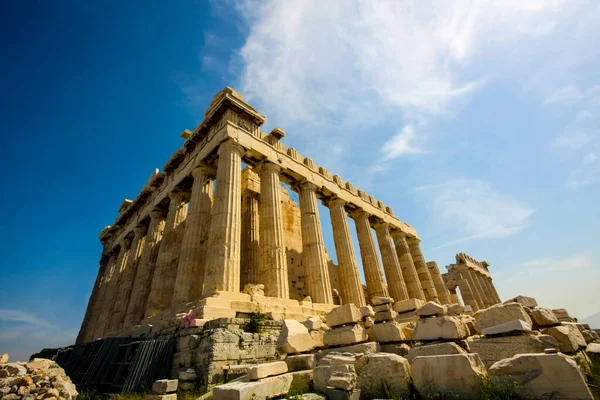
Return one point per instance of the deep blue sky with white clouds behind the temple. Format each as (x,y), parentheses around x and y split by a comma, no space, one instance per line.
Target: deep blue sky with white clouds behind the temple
(478,123)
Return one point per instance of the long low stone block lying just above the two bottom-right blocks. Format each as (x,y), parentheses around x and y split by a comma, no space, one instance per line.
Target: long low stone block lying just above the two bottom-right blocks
(493,349)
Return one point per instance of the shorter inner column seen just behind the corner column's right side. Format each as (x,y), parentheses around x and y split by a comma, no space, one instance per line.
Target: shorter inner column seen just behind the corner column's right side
(250,253)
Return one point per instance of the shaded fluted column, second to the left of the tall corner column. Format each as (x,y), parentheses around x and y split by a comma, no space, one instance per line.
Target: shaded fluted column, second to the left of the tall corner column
(165,272)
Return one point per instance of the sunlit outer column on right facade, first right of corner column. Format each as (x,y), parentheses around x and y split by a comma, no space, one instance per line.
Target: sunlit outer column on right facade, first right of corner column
(273,261)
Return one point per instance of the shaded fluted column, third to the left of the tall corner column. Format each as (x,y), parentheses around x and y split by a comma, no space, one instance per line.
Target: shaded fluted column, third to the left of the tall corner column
(145,270)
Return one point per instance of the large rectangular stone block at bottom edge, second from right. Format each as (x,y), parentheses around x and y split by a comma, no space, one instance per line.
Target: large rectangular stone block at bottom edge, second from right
(455,374)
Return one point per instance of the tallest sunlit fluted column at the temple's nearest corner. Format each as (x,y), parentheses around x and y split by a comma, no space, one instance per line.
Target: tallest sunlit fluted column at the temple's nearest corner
(223,258)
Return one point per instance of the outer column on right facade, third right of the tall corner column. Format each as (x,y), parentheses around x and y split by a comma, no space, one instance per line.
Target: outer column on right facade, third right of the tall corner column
(351,289)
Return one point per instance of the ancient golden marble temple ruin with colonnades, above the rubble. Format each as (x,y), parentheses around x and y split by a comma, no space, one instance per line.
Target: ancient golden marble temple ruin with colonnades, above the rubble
(202,231)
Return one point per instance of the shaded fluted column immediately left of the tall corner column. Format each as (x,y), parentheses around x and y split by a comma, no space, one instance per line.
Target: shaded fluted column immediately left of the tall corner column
(190,272)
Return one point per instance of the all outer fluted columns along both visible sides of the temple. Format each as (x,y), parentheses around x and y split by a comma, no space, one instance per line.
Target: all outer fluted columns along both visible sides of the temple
(195,249)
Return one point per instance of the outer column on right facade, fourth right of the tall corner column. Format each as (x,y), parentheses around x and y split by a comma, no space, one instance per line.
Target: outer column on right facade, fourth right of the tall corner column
(368,254)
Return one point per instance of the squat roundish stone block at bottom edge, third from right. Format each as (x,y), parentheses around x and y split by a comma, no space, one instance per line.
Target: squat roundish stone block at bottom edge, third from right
(384,373)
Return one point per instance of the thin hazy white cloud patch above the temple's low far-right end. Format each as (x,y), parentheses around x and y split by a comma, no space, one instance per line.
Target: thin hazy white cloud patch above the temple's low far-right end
(473,207)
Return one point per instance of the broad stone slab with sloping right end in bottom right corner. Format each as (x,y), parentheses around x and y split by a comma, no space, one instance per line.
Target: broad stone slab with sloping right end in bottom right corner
(543,376)
